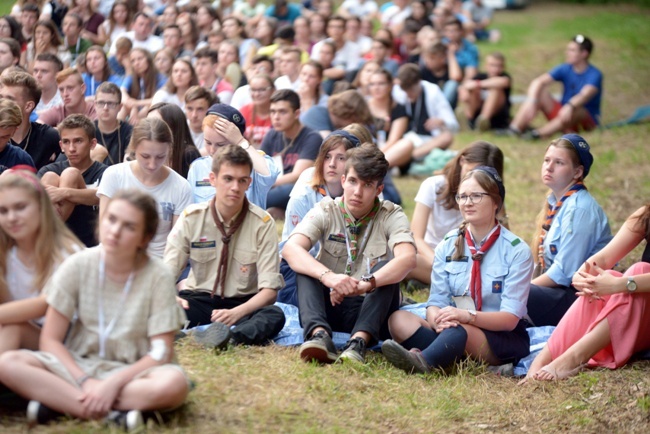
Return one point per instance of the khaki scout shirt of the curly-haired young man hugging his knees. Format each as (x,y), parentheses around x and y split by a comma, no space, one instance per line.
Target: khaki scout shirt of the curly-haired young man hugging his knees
(325,224)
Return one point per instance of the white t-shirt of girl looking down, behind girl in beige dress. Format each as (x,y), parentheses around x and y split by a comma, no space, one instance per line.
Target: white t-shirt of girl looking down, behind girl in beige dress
(172,196)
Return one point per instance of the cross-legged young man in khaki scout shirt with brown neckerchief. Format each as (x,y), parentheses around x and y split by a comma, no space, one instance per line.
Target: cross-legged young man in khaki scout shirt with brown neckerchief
(231,245)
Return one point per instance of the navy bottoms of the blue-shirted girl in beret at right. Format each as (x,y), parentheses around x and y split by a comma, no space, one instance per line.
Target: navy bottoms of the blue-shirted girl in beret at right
(547,306)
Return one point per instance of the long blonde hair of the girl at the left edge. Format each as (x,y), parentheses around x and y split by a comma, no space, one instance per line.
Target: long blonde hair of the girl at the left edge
(53,239)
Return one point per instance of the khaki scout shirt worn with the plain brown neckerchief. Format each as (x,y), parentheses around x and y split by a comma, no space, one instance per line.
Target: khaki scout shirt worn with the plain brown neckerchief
(253,262)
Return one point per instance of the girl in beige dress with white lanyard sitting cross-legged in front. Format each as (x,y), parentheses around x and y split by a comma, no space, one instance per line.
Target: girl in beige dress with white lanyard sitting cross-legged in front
(119,306)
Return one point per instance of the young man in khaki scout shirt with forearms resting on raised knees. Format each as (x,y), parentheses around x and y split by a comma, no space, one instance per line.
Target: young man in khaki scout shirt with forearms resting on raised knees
(366,250)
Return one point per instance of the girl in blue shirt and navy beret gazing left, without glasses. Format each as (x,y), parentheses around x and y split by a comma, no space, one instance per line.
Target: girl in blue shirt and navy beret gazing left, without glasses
(571,227)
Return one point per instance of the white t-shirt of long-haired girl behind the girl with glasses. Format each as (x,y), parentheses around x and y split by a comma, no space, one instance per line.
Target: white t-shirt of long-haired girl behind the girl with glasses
(441,220)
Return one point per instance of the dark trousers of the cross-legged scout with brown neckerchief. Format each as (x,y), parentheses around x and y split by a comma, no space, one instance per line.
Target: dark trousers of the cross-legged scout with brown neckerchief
(257,328)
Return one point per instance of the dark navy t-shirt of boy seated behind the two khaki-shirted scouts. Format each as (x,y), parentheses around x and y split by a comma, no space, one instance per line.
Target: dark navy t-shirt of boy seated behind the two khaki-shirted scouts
(304,146)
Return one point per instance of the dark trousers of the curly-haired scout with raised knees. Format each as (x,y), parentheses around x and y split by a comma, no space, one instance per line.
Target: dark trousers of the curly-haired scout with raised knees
(367,313)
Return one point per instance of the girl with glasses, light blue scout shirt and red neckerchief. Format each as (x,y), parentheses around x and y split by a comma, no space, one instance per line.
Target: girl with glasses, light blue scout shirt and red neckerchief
(479,289)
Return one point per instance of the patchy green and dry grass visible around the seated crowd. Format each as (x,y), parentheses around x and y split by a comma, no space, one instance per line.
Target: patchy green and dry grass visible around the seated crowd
(270,390)
